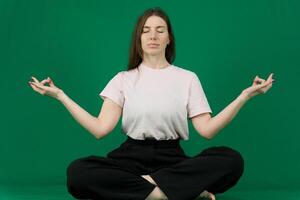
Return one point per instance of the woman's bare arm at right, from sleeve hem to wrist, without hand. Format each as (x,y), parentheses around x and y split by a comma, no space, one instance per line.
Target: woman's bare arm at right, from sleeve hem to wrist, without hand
(208,127)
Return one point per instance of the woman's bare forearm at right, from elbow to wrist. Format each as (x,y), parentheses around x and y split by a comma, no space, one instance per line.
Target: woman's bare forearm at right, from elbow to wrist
(215,124)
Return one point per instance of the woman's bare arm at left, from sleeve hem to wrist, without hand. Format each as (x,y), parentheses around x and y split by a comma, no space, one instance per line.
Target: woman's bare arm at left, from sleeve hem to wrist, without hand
(99,127)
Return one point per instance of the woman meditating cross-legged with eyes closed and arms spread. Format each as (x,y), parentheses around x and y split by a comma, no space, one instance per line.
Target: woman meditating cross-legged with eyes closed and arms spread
(155,98)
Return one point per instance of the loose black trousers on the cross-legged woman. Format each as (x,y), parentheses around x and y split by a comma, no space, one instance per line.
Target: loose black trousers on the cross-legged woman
(118,175)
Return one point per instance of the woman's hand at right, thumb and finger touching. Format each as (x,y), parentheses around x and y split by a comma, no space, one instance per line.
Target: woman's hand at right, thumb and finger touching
(259,86)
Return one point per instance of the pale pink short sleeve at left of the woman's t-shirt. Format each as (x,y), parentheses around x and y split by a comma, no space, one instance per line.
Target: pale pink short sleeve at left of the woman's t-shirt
(114,90)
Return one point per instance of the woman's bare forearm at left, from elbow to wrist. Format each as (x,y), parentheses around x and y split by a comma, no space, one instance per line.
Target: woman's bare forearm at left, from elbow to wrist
(86,120)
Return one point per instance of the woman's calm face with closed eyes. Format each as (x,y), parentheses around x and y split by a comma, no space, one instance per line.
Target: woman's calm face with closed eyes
(155,36)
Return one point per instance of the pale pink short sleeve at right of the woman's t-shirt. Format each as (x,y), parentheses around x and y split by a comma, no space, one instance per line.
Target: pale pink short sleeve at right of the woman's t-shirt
(197,101)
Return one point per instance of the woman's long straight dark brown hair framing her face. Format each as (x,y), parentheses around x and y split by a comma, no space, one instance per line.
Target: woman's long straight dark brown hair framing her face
(136,52)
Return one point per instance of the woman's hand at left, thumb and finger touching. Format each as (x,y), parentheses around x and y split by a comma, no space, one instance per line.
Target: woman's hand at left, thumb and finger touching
(41,88)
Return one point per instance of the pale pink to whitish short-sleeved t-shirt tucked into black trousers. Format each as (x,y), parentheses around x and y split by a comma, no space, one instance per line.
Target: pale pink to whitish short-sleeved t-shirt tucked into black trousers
(157,103)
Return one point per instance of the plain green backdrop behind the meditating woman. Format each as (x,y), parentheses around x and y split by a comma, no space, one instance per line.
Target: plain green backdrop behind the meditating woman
(81,45)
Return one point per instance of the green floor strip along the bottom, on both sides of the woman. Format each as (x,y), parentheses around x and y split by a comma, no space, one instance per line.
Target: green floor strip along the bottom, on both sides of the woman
(59,192)
